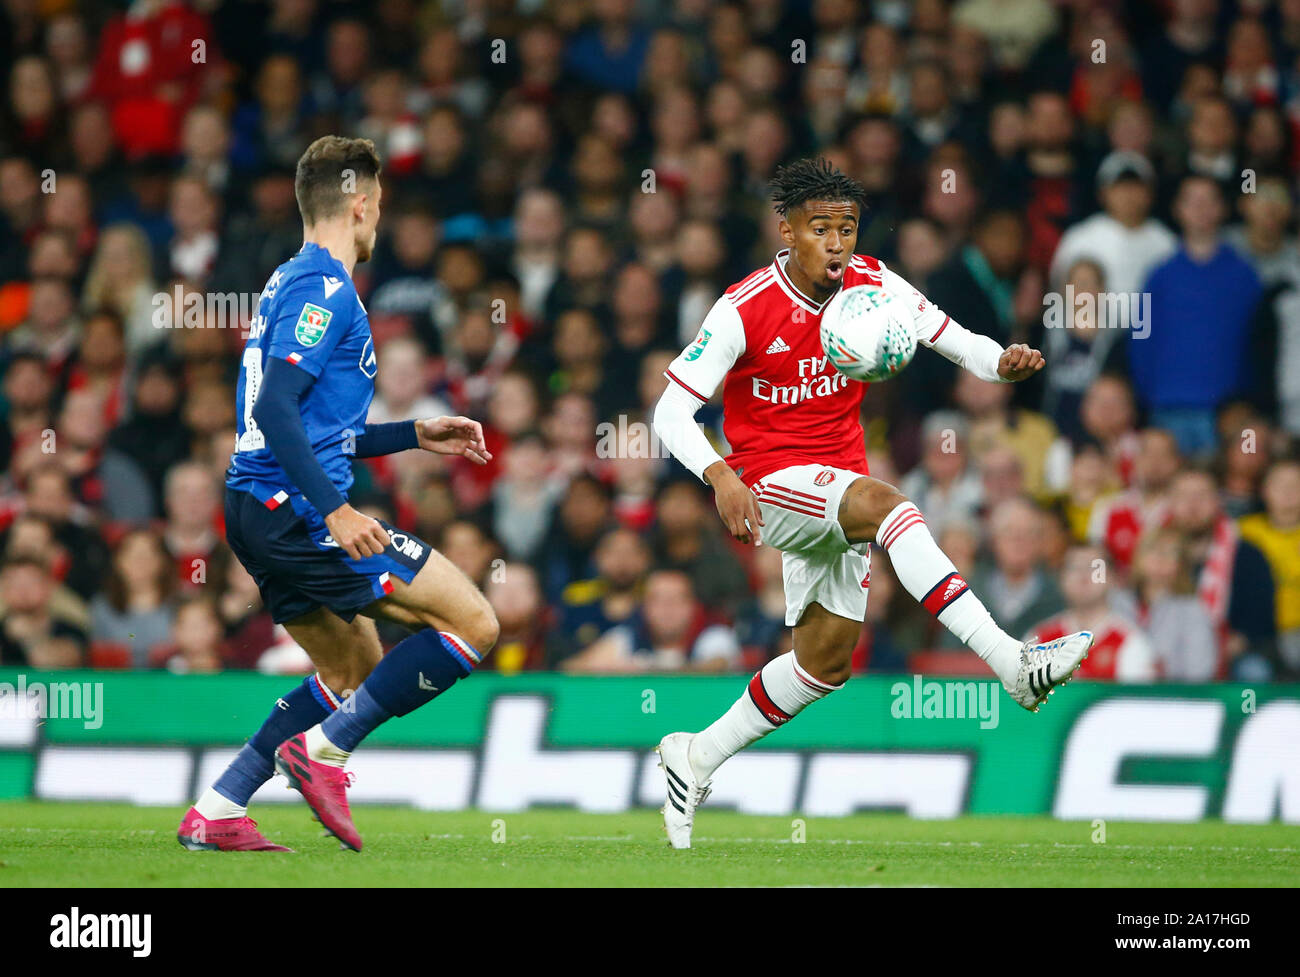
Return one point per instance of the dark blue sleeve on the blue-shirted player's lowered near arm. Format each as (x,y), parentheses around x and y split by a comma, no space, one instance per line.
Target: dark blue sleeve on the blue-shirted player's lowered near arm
(280,419)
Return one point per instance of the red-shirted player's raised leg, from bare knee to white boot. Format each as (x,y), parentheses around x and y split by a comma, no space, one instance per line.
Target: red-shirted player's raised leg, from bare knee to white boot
(878,513)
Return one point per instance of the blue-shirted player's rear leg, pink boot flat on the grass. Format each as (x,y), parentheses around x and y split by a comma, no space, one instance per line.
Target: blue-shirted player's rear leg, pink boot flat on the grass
(344,653)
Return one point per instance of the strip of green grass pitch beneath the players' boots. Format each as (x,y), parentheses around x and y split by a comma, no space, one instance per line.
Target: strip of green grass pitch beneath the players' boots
(118,845)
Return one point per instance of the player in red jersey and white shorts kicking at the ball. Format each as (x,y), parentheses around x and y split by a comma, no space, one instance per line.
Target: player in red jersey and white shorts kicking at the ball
(798,477)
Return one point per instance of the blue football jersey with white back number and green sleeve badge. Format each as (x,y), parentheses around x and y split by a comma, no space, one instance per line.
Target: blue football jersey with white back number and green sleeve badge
(311,316)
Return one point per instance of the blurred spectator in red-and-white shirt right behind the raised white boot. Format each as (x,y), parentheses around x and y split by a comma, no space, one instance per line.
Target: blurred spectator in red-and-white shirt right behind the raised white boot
(1121,652)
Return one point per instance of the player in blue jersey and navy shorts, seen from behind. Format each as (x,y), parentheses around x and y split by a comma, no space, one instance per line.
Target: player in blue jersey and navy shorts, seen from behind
(327,571)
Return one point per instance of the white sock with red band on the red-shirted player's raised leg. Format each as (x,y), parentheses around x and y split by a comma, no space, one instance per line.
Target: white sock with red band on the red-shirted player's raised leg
(926,572)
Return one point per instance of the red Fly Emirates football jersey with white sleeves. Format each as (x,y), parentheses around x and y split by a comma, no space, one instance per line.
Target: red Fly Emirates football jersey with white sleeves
(785,405)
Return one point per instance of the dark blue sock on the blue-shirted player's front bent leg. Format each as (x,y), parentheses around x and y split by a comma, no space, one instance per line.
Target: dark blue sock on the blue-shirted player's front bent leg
(417,671)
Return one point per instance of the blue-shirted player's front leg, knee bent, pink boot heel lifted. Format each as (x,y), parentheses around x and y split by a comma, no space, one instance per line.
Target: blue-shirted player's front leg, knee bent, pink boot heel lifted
(458,628)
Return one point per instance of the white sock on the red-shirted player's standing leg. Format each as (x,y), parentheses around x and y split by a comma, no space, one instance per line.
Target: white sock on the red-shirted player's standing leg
(775,696)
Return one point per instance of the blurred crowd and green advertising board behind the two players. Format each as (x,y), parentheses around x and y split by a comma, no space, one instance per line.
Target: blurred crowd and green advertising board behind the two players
(569,188)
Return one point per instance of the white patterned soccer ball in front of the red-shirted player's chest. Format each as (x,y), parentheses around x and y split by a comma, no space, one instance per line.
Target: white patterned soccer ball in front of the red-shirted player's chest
(868,333)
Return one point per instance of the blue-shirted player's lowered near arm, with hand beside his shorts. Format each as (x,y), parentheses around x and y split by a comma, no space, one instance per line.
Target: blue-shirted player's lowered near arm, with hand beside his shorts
(279,416)
